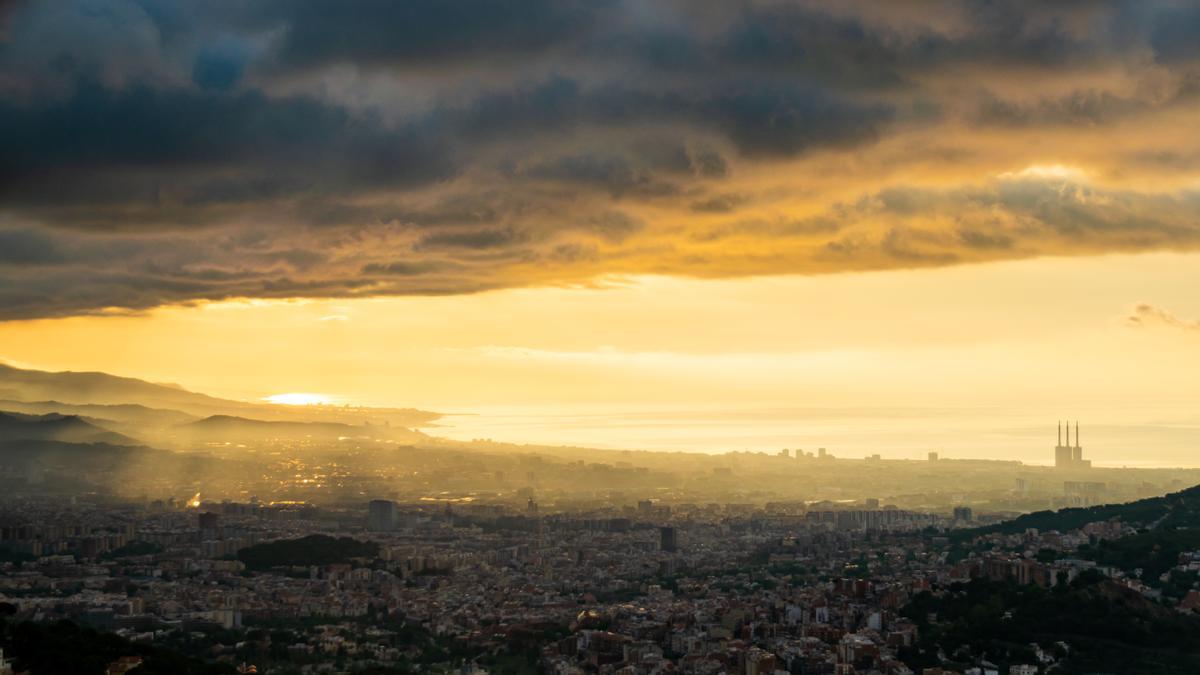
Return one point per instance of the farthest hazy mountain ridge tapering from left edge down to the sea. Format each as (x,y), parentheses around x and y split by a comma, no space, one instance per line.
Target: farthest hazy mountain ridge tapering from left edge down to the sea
(104,390)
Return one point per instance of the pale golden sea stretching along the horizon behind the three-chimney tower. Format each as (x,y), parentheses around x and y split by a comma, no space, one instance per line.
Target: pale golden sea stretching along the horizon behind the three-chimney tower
(1130,437)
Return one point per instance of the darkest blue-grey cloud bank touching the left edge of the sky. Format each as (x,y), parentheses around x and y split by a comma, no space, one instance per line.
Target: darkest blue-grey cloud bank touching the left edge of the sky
(153,147)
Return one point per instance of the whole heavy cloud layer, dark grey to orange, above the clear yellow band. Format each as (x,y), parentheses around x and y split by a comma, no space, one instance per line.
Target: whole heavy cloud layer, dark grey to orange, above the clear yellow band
(163,152)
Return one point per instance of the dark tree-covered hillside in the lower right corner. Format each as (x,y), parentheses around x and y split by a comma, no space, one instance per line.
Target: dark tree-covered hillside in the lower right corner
(1108,626)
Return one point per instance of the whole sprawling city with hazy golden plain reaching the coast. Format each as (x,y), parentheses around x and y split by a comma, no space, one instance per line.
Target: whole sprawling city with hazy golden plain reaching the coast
(331,552)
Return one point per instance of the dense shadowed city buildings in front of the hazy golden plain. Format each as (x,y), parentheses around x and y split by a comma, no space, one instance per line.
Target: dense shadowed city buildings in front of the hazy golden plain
(760,588)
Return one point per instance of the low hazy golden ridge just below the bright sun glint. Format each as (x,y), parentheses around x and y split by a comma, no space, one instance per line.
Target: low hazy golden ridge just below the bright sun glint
(221,428)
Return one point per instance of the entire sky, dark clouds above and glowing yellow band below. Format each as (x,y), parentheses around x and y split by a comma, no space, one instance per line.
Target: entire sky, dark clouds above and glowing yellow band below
(469,205)
